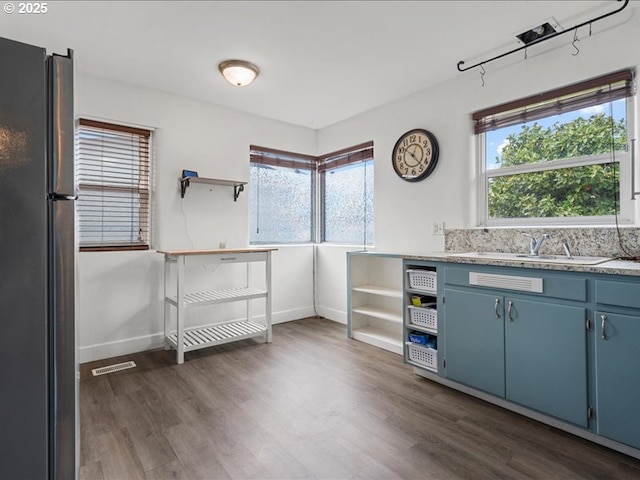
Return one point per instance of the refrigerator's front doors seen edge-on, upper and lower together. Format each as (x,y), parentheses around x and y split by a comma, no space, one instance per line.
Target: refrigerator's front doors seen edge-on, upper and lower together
(62,247)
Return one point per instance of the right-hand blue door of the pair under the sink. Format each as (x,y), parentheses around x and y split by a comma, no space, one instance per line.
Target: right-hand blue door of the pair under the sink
(546,358)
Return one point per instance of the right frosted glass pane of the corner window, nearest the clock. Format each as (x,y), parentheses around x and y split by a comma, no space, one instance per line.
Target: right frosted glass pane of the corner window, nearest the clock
(347,204)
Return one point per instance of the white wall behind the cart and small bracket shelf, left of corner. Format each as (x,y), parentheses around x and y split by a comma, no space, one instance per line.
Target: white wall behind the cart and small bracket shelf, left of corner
(120,304)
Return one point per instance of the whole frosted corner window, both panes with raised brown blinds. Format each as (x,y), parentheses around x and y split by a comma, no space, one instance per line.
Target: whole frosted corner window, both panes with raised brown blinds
(283,191)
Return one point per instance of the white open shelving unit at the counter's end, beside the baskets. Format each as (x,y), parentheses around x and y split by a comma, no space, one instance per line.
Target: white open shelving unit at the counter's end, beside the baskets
(374,299)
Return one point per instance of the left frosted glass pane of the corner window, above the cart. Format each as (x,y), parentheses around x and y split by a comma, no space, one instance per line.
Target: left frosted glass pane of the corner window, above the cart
(280,204)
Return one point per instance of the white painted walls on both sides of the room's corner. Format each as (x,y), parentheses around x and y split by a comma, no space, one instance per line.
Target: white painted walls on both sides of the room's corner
(120,297)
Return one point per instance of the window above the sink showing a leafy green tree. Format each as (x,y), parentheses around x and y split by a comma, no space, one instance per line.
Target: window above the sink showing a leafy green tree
(557,157)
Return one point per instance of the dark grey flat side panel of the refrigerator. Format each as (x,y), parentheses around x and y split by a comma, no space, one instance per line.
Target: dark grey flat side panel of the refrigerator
(23,263)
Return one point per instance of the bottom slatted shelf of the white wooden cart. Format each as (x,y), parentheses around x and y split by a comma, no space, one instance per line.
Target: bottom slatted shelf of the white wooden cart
(217,335)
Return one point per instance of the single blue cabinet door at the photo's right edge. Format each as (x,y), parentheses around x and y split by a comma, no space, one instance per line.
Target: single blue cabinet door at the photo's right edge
(618,377)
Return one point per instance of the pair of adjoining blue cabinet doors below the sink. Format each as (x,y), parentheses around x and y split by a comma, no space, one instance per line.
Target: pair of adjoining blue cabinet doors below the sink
(530,352)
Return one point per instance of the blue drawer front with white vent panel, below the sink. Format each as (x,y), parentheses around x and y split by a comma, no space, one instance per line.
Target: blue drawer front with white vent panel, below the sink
(519,280)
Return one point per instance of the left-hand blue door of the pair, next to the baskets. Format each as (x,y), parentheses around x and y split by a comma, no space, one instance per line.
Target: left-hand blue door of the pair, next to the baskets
(474,340)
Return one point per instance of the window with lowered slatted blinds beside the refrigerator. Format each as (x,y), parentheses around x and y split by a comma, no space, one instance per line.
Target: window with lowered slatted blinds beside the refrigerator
(112,166)
